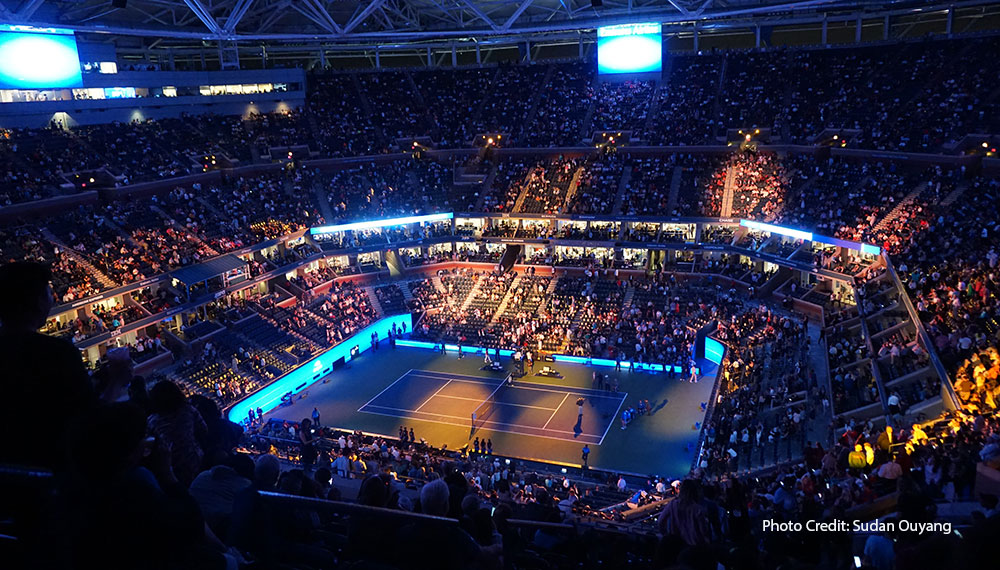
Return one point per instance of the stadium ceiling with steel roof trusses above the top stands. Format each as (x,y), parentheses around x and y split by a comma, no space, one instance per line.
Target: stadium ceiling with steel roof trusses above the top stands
(349,21)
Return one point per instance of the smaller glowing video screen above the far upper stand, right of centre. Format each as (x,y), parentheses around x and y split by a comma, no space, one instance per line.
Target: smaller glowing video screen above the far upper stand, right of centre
(629,48)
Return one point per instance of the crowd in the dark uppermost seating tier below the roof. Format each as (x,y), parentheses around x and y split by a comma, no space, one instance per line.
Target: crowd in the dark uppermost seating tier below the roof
(876,97)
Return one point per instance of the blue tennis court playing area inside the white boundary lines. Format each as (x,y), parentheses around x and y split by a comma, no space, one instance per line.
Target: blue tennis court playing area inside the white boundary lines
(540,410)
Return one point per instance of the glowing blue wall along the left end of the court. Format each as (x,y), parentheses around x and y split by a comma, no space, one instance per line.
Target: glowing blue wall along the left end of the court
(269,397)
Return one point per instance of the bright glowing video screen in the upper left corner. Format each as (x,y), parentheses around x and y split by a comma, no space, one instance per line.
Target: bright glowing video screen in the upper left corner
(38,58)
